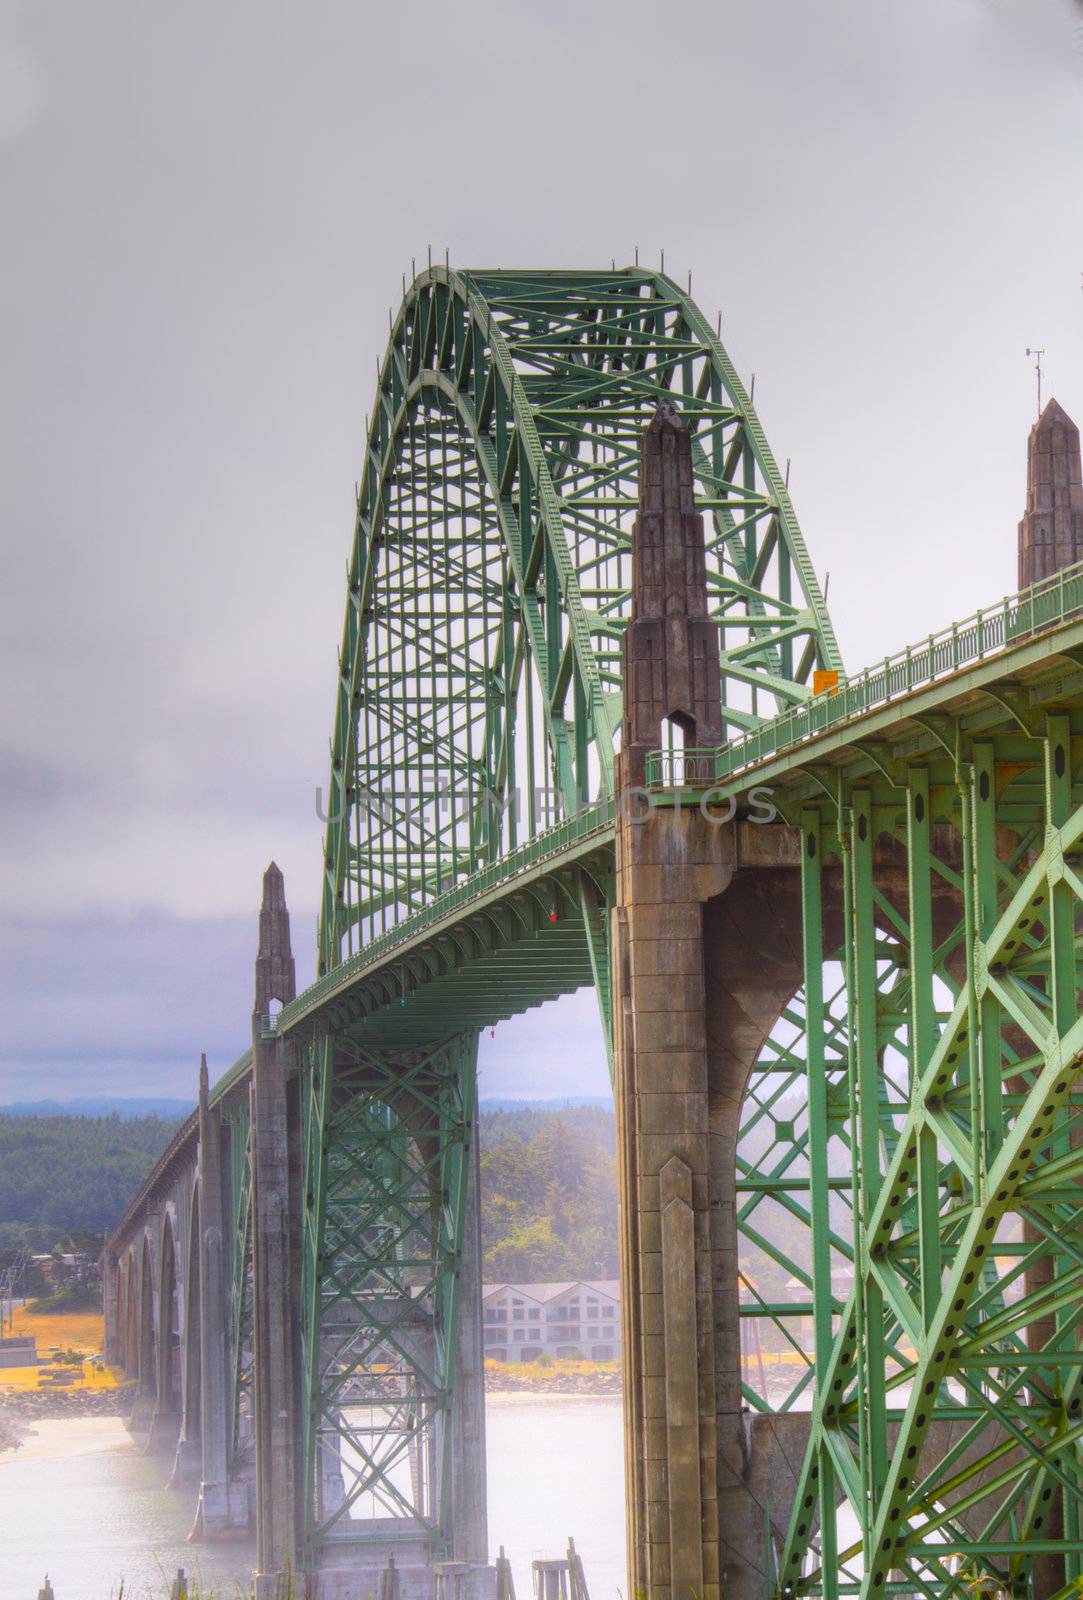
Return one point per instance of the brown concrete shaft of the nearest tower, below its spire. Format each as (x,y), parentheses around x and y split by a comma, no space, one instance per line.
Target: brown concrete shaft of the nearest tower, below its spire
(681,1294)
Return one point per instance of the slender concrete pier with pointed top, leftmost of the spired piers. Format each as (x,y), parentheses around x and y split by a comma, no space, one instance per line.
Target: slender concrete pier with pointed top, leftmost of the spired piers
(212,1516)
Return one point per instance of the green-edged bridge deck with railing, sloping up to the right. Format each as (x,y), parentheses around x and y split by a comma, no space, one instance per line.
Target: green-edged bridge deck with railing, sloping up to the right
(506,911)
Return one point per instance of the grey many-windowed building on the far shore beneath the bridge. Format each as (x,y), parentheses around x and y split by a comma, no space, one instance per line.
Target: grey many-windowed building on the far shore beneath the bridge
(580,1321)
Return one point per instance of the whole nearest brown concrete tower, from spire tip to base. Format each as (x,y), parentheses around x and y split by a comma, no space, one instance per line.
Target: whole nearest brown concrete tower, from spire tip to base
(697,1513)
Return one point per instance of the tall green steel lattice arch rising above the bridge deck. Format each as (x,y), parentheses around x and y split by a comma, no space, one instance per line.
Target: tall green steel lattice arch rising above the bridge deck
(479,690)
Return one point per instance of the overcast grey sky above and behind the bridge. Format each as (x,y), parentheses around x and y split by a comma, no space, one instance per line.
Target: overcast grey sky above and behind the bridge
(207,214)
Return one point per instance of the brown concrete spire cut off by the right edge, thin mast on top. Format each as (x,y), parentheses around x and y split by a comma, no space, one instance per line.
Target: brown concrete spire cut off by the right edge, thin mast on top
(1052,529)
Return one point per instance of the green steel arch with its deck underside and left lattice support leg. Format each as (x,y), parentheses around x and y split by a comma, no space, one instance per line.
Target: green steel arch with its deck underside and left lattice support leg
(478,710)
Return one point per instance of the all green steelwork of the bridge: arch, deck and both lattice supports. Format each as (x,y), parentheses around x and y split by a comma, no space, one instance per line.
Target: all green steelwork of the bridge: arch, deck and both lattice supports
(914,1113)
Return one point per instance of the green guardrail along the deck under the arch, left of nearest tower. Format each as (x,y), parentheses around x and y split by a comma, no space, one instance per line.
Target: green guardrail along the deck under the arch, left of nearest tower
(593,820)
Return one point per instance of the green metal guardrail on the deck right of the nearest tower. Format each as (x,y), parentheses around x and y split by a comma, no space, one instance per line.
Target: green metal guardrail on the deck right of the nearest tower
(985,634)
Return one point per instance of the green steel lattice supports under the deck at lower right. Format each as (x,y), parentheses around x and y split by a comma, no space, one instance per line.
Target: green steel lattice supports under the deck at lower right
(948,1390)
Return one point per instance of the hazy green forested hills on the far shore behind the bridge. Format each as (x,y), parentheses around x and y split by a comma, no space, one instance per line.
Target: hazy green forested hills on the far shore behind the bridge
(548,1185)
